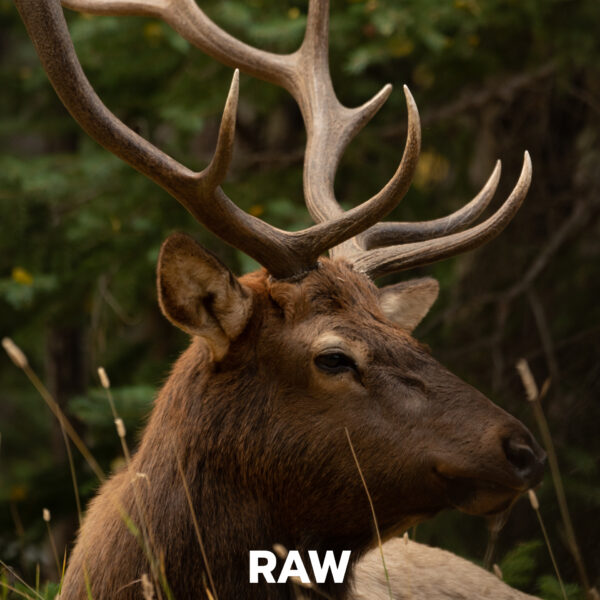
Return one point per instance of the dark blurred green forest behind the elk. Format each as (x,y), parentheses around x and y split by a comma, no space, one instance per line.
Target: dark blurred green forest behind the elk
(80,231)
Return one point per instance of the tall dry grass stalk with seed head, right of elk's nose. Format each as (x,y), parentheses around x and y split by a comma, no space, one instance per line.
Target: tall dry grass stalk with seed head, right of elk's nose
(527,379)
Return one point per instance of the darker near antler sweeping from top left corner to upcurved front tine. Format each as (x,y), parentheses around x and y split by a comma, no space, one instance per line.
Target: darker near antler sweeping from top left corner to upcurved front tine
(283,254)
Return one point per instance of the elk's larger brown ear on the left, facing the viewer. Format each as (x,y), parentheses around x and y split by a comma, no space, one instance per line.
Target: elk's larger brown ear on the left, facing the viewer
(200,295)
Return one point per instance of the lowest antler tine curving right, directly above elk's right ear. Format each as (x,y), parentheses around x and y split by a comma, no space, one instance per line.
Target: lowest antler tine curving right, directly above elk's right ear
(381,261)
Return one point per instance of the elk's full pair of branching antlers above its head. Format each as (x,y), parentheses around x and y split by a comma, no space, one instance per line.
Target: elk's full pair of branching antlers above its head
(330,127)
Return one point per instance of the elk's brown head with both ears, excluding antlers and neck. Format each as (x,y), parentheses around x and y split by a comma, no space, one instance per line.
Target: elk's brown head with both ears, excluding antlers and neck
(331,351)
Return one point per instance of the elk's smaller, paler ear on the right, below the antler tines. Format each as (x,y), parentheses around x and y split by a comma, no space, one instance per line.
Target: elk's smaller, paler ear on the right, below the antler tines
(408,302)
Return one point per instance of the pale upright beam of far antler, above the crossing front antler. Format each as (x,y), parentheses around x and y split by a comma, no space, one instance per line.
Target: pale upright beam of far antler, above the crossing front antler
(330,126)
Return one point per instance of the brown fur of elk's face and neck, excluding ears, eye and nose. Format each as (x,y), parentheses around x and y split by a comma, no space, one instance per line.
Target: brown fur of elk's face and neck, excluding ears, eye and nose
(260,436)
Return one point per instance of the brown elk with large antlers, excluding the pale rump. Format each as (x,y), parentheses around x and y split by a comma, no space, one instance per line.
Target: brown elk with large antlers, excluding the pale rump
(248,441)
